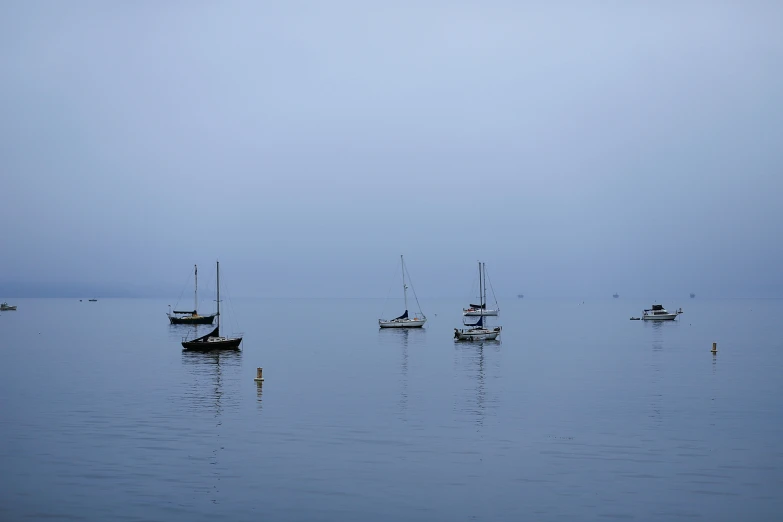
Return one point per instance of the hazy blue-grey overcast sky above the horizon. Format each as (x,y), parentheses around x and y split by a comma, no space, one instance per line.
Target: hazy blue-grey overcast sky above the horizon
(578,148)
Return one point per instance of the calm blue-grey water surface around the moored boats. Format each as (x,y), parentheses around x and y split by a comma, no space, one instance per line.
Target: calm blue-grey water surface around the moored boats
(577,414)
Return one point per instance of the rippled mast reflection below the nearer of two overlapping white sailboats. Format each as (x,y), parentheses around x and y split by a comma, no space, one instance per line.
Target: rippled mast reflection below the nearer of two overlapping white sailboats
(475,360)
